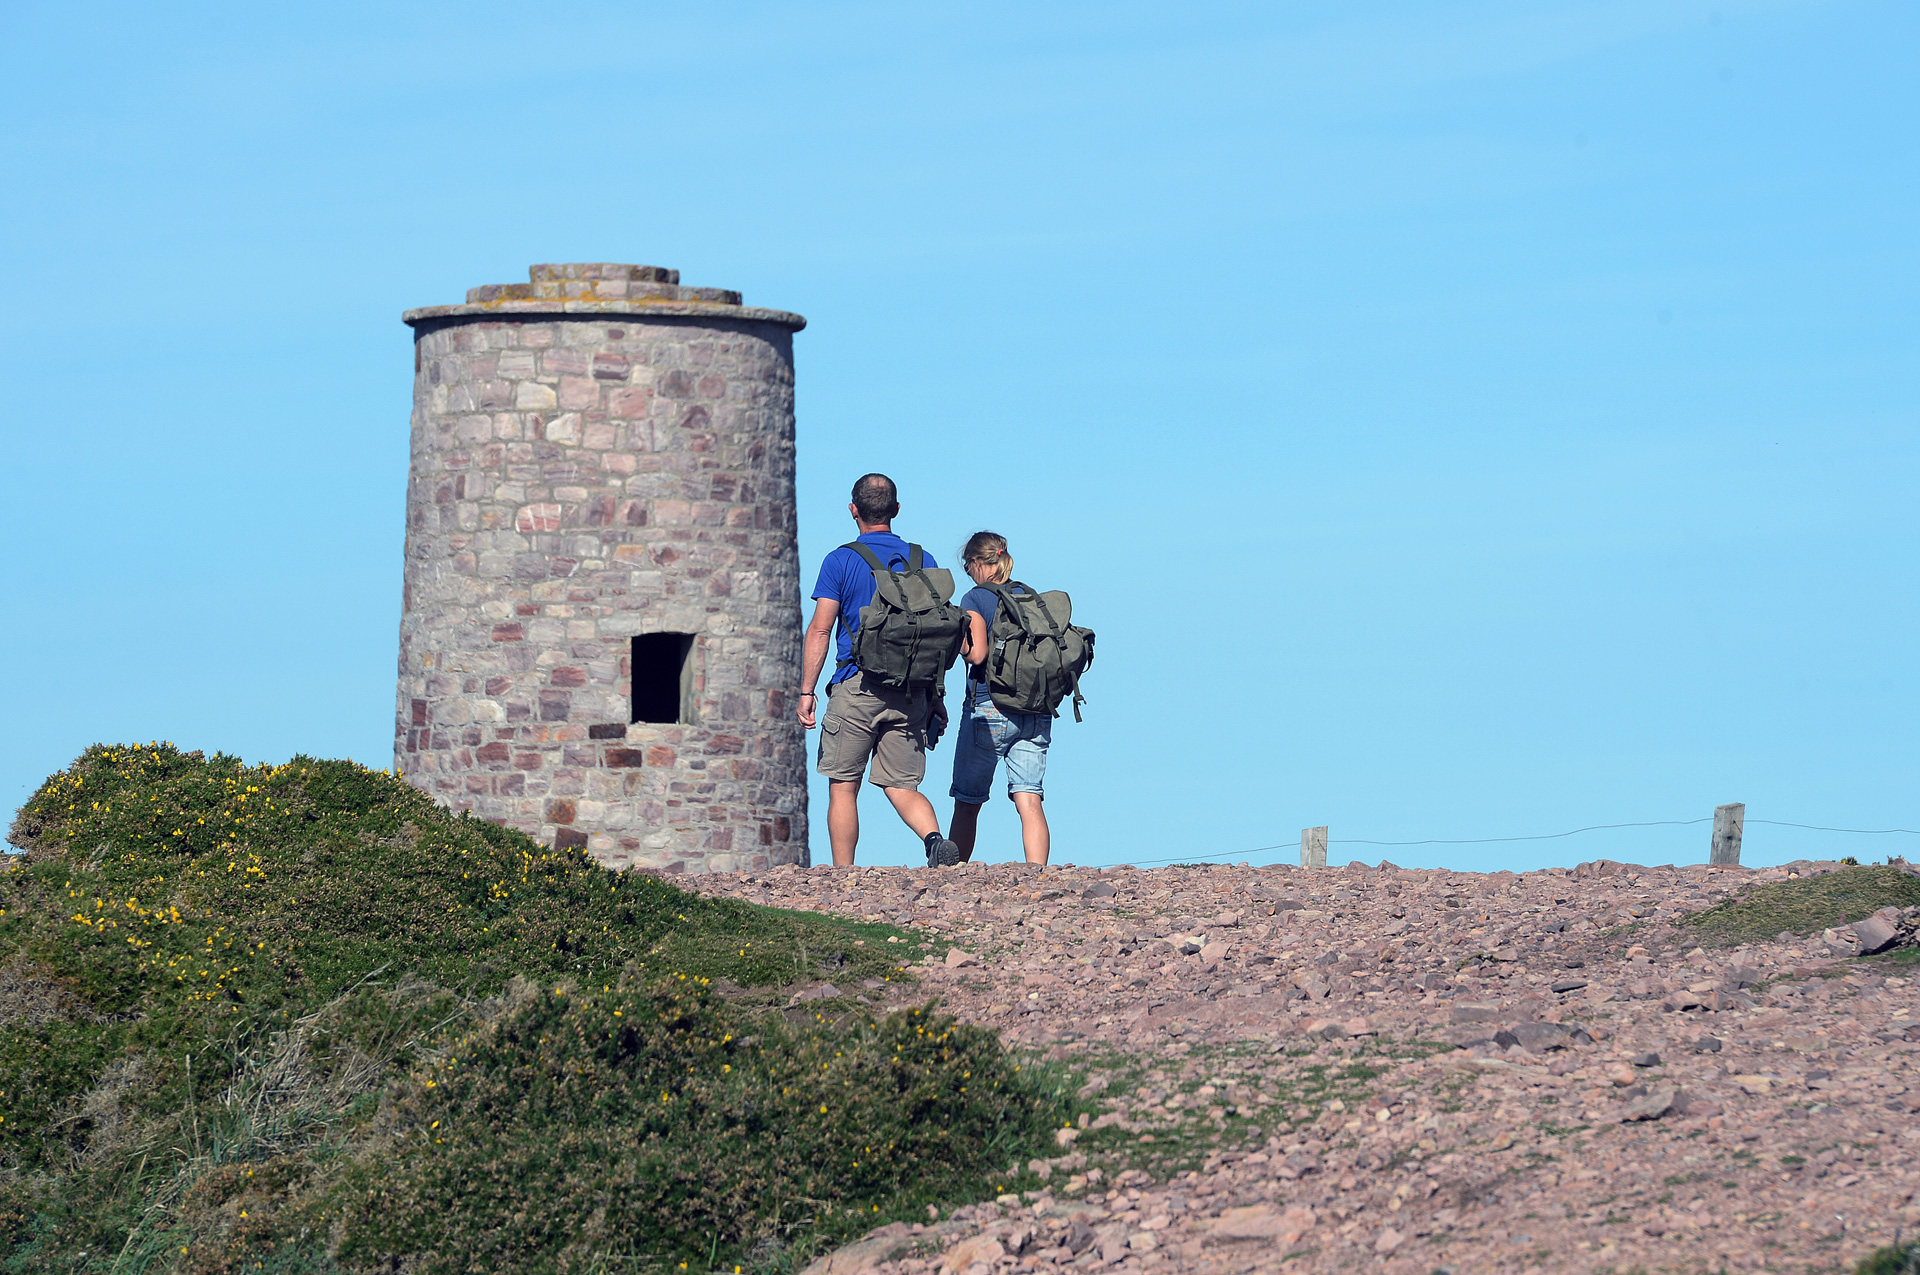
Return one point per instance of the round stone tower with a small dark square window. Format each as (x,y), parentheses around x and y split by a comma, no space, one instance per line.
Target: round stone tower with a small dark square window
(602,615)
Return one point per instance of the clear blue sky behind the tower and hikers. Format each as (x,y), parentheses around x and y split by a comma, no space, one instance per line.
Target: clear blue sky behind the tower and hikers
(1458,421)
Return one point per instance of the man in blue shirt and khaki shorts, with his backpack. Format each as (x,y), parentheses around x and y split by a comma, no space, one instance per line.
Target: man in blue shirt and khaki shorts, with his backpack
(884,694)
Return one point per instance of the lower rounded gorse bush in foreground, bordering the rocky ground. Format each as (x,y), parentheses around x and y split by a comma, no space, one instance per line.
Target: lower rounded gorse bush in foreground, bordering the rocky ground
(636,1124)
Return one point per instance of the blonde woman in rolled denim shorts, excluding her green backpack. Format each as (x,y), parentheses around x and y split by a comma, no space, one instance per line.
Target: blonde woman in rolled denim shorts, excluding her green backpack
(990,736)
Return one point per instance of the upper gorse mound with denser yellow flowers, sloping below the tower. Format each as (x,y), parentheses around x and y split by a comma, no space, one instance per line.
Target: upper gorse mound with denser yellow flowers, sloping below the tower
(172,902)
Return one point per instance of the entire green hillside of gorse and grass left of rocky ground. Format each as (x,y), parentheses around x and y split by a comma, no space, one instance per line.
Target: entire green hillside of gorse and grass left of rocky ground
(300,1019)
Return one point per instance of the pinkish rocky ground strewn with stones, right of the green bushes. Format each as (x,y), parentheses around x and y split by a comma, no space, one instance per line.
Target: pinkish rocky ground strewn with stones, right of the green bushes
(1404,1071)
